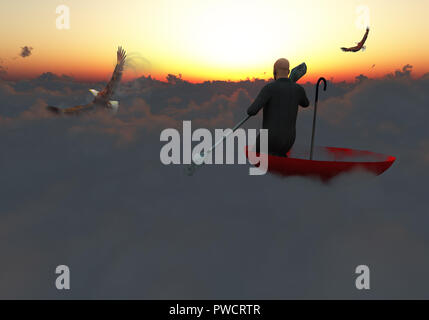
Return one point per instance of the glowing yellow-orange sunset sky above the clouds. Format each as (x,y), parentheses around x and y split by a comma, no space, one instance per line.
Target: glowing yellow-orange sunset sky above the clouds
(214,40)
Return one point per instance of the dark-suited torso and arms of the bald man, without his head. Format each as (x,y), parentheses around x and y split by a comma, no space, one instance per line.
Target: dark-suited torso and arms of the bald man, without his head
(280,100)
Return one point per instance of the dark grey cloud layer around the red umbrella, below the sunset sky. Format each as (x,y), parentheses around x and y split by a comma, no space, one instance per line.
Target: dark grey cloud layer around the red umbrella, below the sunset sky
(91,193)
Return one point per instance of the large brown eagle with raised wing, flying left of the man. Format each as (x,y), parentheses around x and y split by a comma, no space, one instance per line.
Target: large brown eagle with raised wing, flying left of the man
(102,98)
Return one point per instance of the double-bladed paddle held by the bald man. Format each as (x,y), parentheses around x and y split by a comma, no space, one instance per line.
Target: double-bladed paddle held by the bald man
(297,73)
